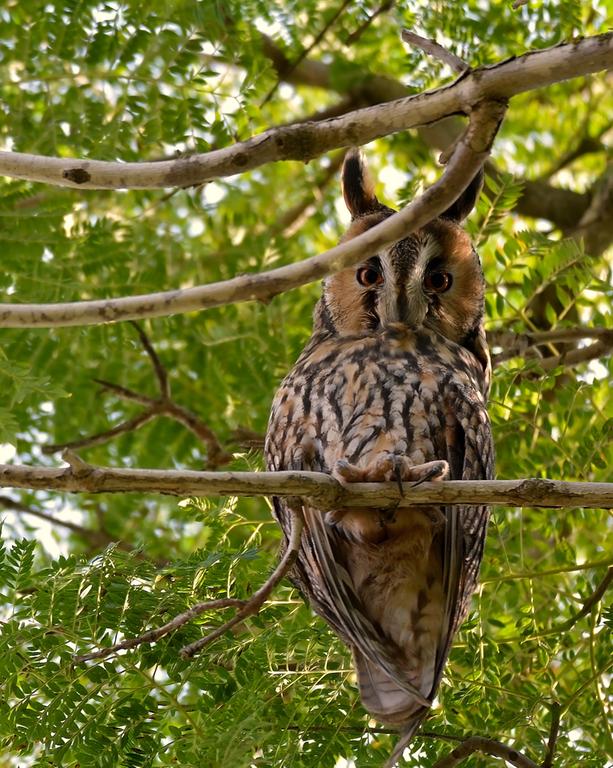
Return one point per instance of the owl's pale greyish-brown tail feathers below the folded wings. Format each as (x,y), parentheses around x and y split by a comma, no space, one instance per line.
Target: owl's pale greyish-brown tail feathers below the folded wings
(385,698)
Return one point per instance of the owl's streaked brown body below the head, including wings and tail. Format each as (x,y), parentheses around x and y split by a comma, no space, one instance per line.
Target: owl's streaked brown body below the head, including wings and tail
(394,584)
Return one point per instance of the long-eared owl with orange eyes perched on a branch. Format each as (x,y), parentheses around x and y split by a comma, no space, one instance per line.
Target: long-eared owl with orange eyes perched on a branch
(392,386)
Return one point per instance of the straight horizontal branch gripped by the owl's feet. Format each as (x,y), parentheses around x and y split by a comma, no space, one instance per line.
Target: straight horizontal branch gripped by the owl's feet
(323,490)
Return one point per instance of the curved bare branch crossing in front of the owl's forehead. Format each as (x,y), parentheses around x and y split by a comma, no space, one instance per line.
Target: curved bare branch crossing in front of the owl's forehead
(469,155)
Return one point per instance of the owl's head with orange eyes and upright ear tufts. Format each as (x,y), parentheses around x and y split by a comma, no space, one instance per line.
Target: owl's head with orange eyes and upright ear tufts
(431,279)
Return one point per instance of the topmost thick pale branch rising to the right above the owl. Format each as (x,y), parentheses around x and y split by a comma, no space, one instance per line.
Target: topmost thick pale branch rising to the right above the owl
(305,141)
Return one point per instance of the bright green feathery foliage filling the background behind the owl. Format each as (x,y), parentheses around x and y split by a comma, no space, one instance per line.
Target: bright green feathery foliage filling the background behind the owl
(142,81)
